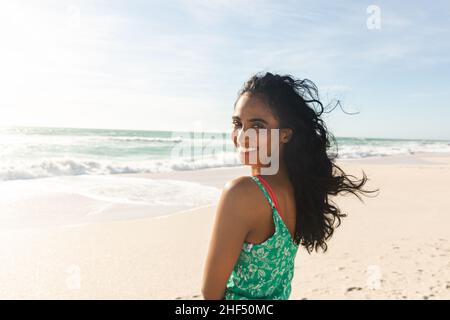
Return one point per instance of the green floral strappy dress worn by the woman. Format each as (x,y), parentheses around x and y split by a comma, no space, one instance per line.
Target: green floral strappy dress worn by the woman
(264,270)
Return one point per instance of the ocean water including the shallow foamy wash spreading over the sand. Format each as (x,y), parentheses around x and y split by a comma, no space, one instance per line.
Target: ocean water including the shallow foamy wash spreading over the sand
(40,167)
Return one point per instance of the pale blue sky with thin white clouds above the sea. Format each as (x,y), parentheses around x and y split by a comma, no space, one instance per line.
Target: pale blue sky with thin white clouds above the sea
(178,65)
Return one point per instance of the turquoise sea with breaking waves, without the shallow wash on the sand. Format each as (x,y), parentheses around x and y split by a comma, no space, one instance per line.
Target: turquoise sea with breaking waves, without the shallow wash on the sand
(32,152)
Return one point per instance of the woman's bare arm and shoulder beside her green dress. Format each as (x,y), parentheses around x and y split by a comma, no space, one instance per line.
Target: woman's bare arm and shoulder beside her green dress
(232,223)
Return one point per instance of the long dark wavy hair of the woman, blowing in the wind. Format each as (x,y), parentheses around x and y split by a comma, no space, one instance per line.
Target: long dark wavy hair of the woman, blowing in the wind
(311,168)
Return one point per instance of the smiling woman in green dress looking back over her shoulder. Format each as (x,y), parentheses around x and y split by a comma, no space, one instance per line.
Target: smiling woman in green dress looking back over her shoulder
(263,219)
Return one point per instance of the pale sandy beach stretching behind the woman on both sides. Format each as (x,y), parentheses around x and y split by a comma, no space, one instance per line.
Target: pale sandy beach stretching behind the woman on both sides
(393,246)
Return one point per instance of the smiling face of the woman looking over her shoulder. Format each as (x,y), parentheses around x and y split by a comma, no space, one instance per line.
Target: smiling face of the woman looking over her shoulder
(252,112)
